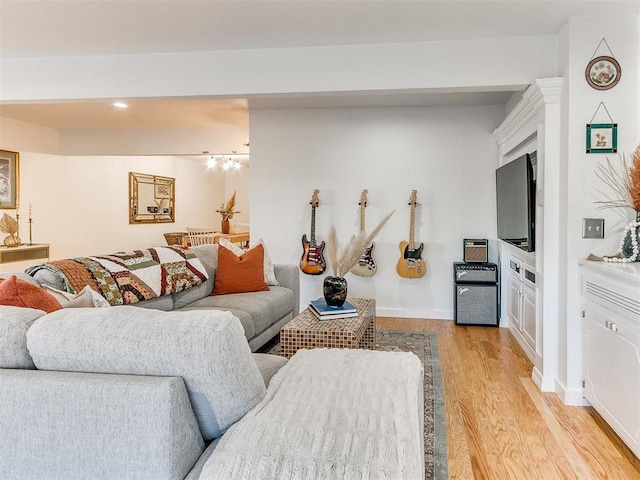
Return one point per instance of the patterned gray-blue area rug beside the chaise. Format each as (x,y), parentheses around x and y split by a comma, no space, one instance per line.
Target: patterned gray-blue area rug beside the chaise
(425,346)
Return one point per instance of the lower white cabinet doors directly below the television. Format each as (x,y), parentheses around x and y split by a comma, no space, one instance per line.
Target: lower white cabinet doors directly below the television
(521,304)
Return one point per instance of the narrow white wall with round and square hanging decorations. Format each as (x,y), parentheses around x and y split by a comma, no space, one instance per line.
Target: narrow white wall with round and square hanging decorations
(580,38)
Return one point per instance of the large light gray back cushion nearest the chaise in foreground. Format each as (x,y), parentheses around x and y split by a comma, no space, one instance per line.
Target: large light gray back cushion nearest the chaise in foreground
(206,348)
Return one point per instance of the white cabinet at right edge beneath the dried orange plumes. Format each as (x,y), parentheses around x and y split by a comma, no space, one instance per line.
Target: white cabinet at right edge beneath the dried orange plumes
(611,345)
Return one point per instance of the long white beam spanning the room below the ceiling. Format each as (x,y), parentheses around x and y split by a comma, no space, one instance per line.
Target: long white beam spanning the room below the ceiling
(415,66)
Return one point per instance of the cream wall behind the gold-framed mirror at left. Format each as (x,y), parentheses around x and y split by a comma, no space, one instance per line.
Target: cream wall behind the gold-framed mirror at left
(80,204)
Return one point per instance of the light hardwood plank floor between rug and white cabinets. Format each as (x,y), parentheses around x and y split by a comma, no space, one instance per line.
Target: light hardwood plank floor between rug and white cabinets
(500,426)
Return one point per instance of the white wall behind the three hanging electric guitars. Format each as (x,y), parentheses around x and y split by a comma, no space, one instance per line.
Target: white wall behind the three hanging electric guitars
(447,153)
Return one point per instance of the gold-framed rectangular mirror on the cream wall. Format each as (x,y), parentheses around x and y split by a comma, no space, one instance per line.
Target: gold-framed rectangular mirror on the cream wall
(151,198)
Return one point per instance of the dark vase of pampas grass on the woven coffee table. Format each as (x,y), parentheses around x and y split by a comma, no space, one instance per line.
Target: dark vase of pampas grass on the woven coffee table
(342,261)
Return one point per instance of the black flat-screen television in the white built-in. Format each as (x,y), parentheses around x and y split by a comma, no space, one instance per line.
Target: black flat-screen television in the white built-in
(516,192)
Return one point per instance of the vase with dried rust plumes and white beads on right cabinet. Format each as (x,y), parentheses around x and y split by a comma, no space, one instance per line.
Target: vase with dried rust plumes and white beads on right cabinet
(625,183)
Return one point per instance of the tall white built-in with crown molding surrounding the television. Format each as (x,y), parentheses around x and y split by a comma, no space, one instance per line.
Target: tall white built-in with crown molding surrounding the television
(531,308)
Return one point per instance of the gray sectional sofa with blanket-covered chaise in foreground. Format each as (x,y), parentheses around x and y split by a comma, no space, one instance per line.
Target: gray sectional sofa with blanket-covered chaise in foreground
(176,393)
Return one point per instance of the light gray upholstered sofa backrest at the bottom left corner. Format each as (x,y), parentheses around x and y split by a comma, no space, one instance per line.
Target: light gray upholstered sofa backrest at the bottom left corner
(81,425)
